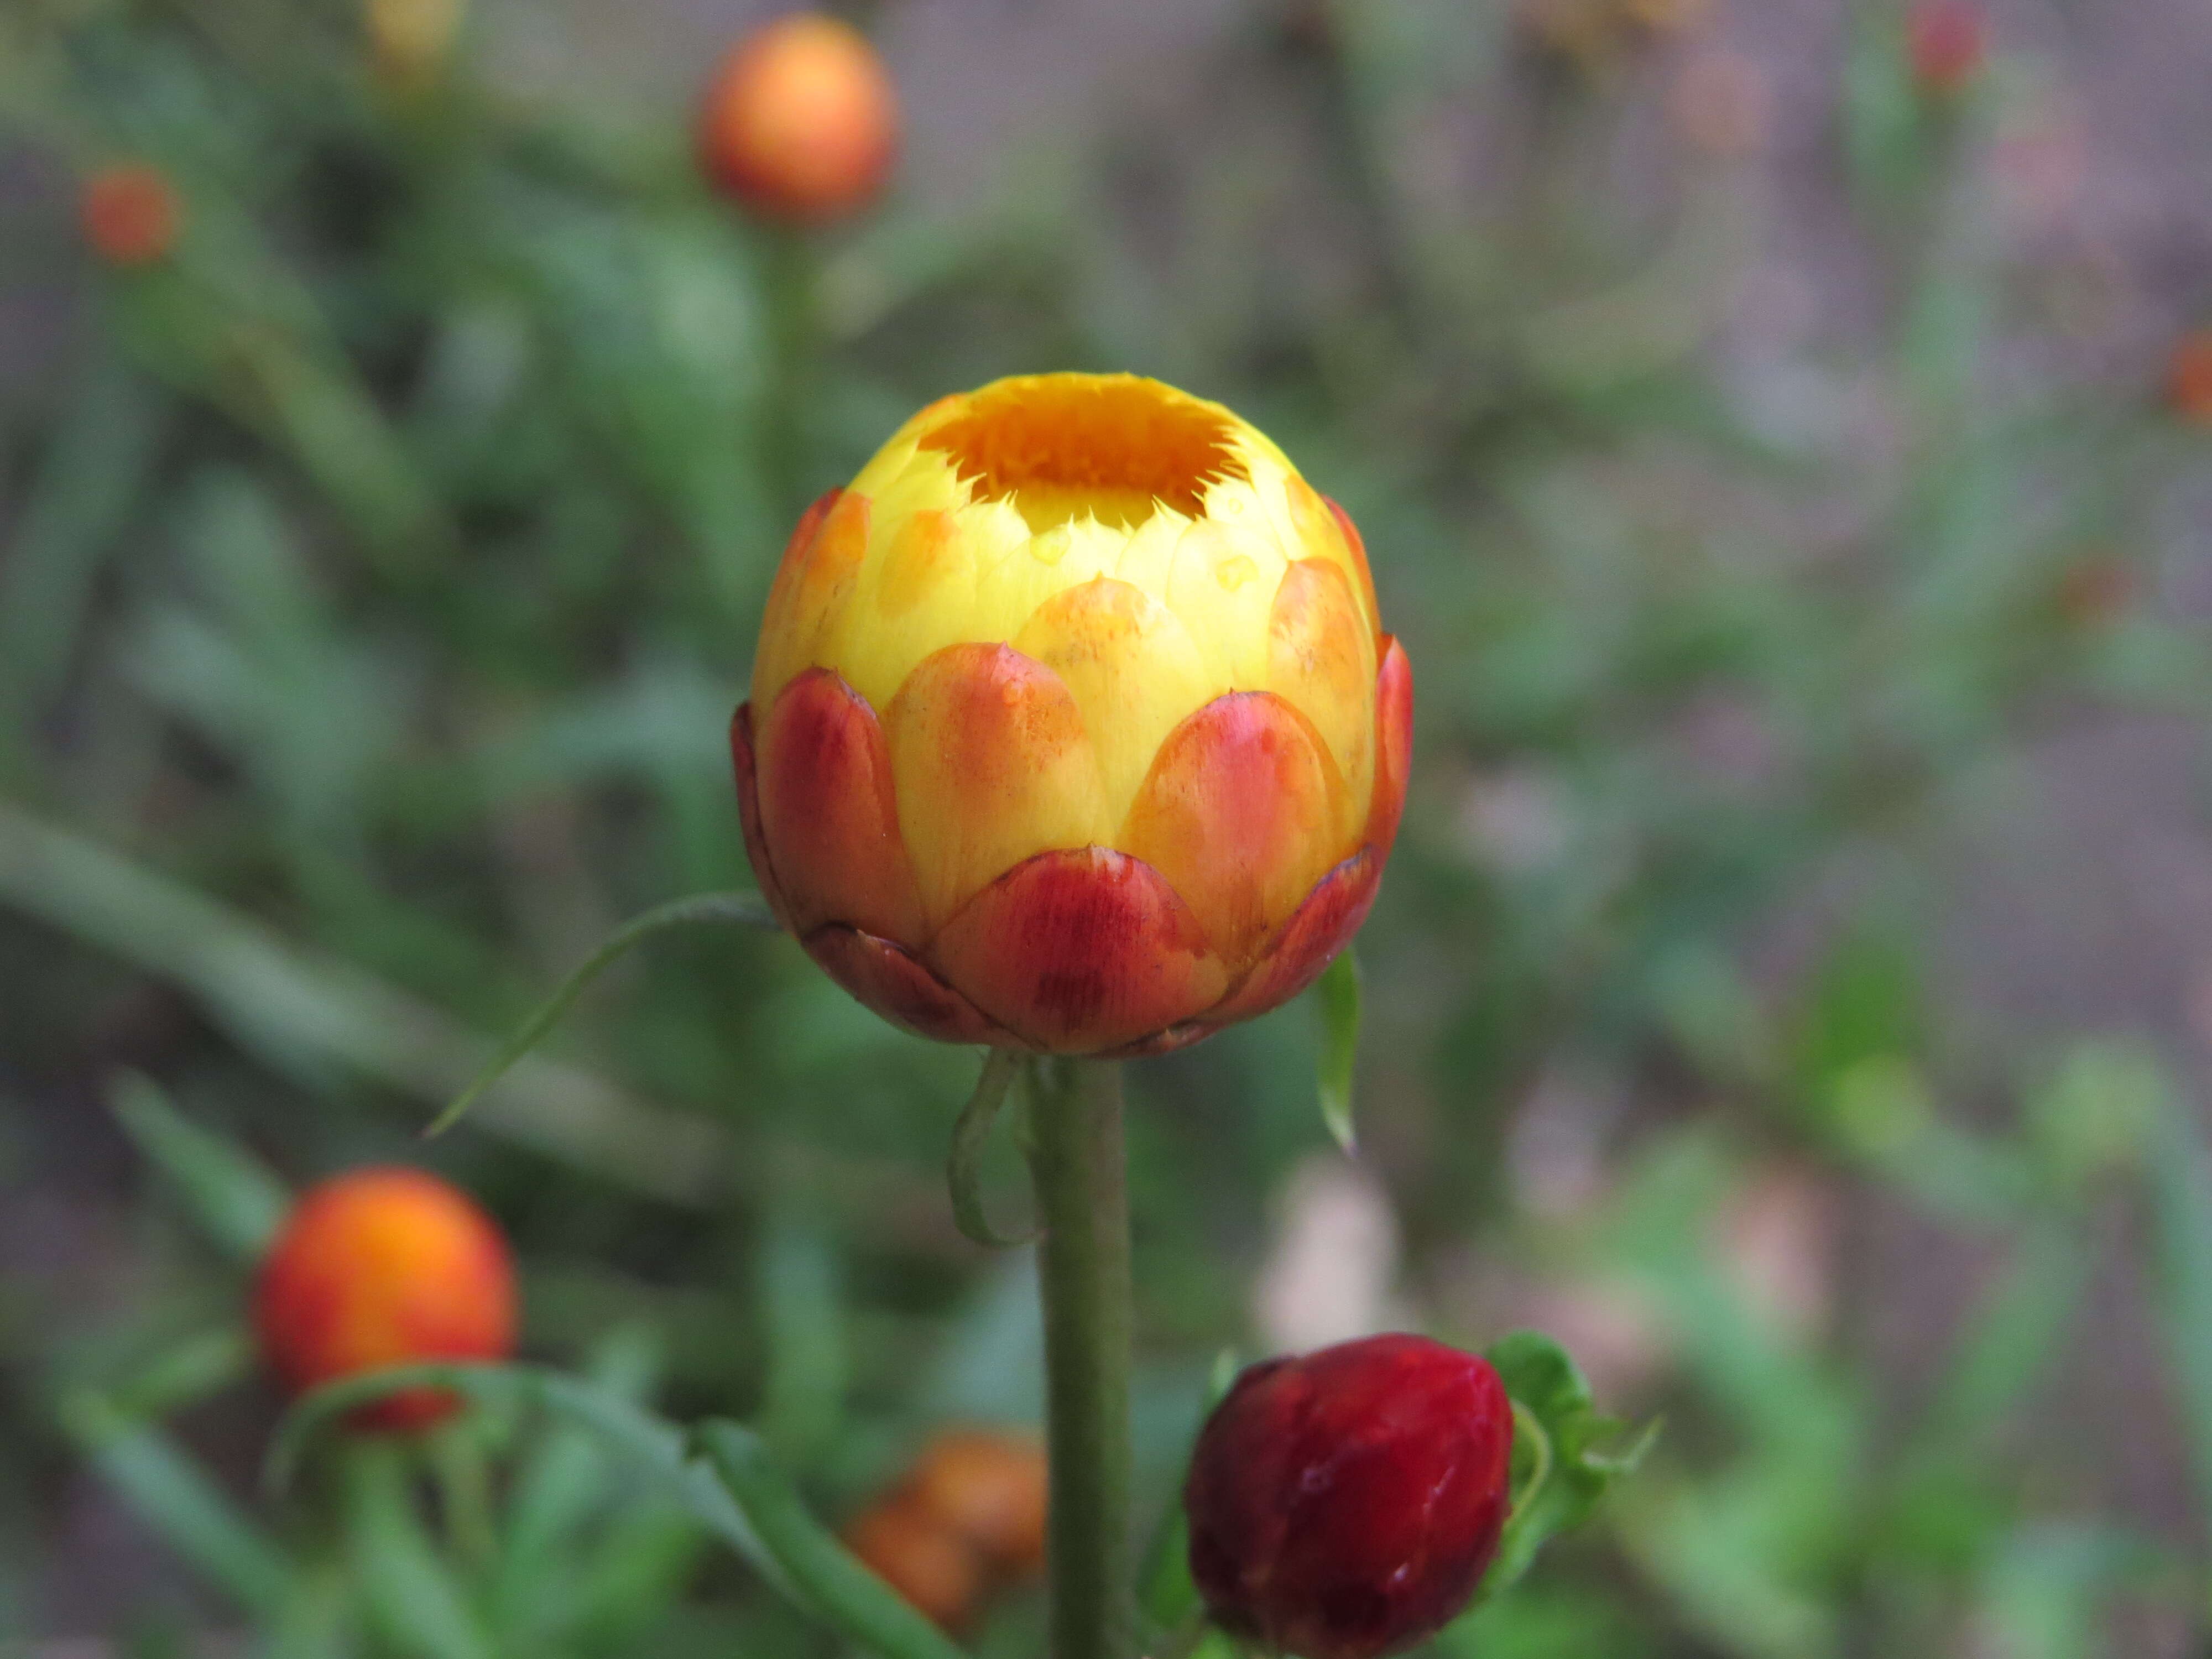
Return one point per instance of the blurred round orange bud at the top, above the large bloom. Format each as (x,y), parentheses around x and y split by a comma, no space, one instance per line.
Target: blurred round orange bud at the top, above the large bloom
(802,121)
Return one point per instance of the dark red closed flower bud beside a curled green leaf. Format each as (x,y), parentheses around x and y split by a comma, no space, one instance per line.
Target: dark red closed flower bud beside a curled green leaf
(1346,1503)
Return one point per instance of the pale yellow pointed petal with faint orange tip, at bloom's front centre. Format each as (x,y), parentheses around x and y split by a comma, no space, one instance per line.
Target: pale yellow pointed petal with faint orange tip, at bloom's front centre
(1131,669)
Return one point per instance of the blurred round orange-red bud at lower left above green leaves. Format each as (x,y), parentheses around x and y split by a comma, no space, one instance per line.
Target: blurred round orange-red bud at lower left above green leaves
(377,1269)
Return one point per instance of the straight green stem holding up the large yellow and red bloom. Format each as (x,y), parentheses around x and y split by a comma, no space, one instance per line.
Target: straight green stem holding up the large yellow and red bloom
(1083,1200)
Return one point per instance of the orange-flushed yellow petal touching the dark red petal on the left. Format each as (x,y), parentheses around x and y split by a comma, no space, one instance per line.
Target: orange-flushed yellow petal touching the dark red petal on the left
(992,766)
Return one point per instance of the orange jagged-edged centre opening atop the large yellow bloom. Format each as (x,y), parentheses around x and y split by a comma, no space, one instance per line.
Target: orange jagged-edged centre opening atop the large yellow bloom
(1065,448)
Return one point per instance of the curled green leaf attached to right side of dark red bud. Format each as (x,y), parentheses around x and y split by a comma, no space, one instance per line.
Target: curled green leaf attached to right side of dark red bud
(1563,1432)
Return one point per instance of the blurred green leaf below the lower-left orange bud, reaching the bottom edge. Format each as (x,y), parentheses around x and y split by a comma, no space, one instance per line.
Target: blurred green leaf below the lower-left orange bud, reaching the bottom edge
(413,1594)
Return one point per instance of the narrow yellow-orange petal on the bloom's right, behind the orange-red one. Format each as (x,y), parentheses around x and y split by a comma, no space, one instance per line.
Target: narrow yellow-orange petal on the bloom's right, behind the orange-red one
(1322,660)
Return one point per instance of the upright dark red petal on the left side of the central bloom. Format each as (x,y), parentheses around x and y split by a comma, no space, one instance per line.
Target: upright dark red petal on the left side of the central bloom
(828,813)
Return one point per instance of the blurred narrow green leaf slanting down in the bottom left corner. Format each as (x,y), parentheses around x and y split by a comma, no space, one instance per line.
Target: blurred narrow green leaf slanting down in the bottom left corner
(180,1503)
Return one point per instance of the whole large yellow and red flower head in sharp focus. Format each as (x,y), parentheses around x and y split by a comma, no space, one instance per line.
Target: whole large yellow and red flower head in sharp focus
(1072,724)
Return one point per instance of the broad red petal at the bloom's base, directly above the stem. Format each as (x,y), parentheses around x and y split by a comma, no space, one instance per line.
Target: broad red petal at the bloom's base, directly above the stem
(1081,950)
